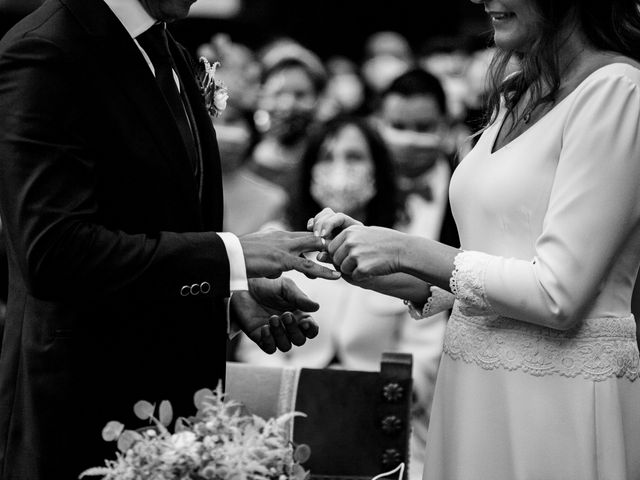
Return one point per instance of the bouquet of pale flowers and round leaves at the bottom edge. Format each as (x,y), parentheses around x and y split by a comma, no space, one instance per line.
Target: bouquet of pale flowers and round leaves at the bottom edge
(221,442)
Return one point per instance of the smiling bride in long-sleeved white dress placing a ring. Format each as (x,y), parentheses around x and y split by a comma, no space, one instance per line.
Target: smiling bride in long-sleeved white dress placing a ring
(539,376)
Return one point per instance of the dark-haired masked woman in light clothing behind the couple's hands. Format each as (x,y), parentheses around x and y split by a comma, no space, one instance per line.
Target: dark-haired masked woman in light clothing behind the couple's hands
(347,166)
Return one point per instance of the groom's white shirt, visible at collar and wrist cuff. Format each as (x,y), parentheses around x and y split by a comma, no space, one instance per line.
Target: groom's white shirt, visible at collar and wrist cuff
(136,20)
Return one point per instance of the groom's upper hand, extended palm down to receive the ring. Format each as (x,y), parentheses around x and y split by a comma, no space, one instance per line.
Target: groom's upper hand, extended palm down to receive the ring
(268,254)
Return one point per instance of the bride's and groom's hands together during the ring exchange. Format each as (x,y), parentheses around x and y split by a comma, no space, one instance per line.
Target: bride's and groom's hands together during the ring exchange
(273,313)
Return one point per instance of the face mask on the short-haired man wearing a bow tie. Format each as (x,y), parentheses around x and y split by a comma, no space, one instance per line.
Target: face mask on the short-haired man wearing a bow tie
(414,153)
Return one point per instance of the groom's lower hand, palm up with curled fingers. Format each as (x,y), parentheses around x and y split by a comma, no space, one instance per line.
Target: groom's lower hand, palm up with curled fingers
(273,314)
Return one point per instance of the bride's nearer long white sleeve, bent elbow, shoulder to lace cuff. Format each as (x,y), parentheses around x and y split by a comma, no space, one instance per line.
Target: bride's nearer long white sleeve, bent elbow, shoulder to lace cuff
(592,210)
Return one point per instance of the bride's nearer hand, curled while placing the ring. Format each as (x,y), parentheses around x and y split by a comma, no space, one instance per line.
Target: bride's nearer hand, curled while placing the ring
(363,252)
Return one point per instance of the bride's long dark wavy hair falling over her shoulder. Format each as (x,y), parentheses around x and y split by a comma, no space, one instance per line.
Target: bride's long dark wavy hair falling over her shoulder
(612,25)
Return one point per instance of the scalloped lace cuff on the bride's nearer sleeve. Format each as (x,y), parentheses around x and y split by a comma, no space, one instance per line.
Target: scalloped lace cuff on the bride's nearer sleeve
(467,282)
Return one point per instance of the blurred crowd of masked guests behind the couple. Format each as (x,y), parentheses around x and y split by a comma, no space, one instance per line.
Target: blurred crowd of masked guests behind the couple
(362,106)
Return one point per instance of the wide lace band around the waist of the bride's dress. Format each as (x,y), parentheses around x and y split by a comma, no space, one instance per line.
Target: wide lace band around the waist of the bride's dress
(597,349)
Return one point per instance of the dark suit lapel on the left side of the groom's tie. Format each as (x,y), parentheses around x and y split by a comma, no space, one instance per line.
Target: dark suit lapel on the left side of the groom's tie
(121,59)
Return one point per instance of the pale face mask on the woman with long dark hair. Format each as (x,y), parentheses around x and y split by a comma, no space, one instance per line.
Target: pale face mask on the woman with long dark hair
(343,188)
